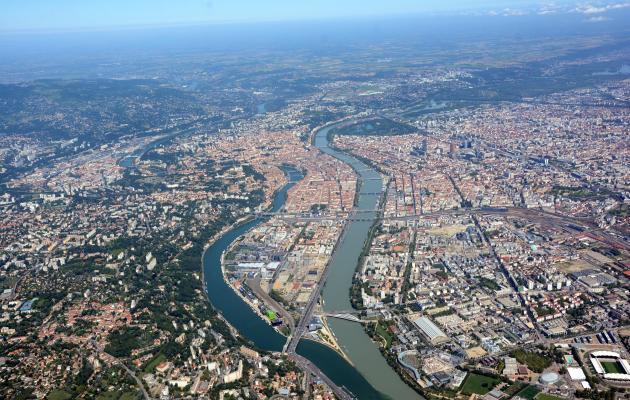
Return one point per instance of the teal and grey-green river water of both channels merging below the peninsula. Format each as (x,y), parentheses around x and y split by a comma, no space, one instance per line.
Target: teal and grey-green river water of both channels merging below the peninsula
(369,376)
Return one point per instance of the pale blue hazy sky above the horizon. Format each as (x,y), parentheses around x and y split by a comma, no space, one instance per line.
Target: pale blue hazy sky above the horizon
(69,15)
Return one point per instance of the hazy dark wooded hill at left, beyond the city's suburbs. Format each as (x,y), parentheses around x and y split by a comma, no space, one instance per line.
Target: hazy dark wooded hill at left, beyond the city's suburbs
(99,109)
